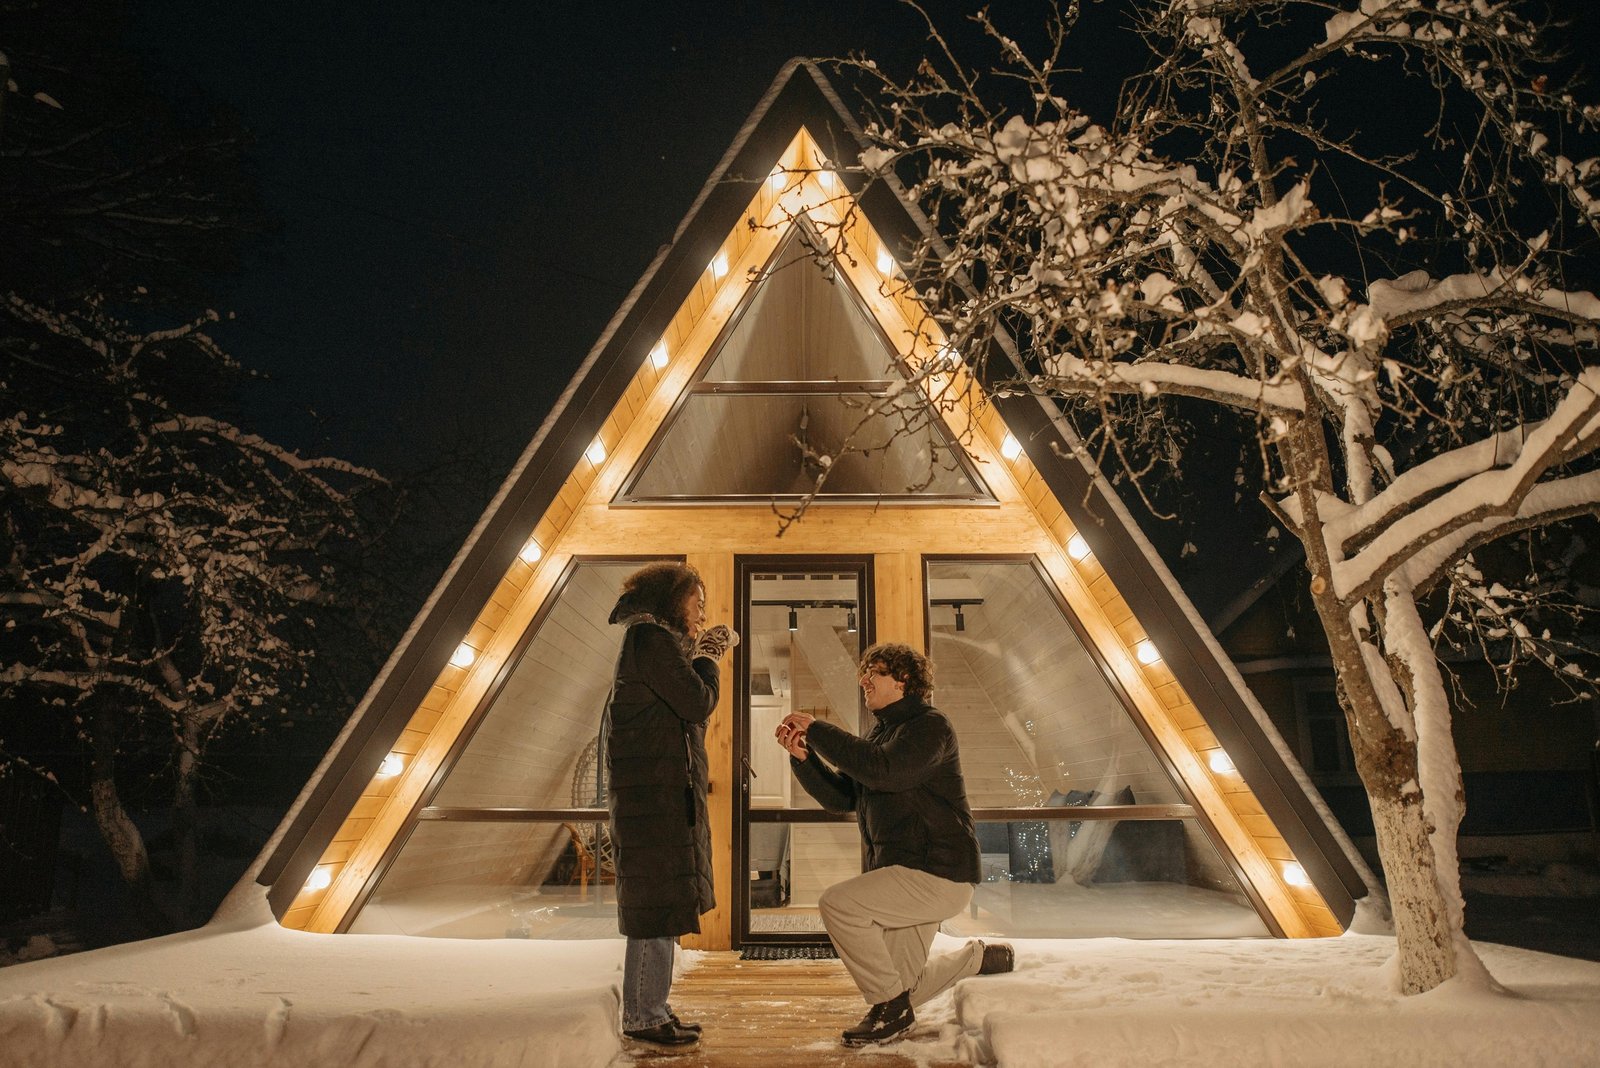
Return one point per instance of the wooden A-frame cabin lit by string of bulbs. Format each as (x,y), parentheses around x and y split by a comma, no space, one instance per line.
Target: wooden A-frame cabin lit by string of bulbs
(1126,781)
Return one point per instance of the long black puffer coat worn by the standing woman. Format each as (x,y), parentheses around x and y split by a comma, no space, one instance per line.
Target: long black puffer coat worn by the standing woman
(657,767)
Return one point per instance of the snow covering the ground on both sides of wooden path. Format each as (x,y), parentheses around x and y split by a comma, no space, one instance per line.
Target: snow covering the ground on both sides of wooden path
(254,994)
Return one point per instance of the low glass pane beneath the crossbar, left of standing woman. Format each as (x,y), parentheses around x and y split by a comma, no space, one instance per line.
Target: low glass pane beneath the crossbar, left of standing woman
(458,880)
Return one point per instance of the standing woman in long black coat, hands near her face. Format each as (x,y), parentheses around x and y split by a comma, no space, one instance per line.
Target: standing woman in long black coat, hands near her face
(655,728)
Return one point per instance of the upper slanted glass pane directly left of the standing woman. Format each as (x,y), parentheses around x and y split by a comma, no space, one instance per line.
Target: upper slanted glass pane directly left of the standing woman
(535,747)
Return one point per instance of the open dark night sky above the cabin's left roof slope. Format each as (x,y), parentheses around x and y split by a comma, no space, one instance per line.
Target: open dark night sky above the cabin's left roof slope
(466,193)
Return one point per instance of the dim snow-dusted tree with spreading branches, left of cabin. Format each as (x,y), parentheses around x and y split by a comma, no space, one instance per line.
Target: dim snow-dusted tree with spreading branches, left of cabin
(161,572)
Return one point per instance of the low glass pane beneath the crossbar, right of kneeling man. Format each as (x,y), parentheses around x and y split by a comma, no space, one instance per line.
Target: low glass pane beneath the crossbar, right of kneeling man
(1105,879)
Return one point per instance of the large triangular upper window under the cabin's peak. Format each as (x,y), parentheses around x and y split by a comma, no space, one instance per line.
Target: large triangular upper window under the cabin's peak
(804,383)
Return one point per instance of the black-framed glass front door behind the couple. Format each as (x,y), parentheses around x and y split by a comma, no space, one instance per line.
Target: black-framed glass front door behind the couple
(806,624)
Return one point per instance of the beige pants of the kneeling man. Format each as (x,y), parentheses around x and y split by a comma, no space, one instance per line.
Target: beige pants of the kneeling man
(884,922)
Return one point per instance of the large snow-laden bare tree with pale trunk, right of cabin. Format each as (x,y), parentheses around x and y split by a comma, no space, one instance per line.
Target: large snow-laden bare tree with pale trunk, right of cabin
(1353,228)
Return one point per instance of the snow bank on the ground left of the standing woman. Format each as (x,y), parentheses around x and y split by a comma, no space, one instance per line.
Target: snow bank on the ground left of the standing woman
(255,994)
